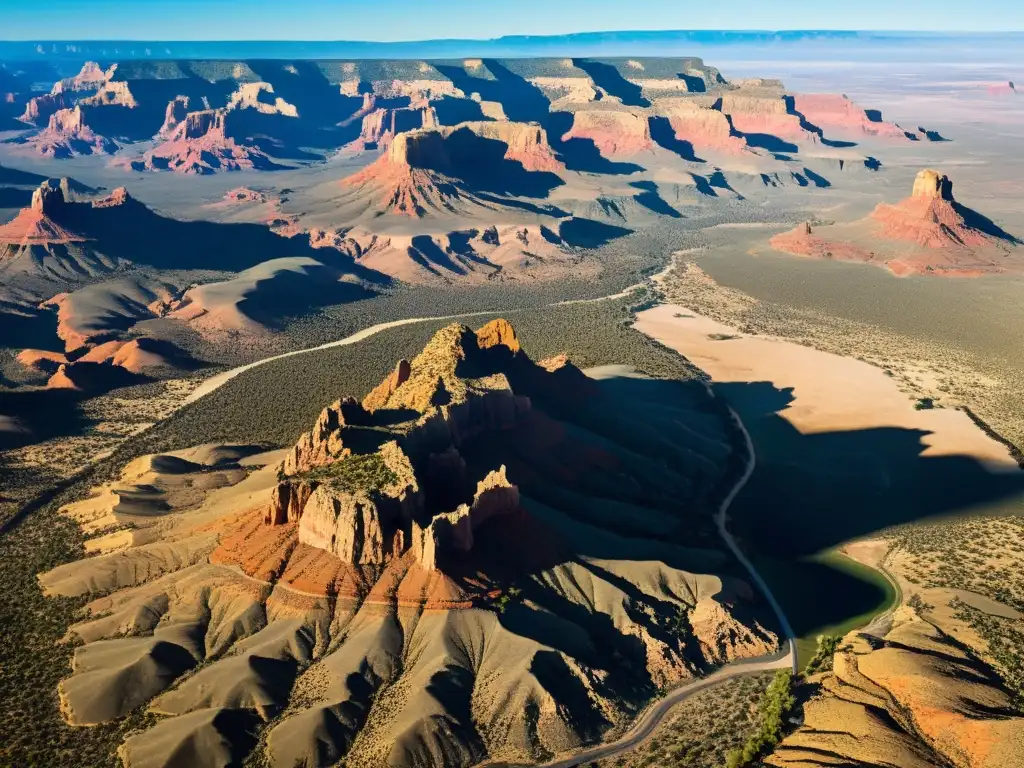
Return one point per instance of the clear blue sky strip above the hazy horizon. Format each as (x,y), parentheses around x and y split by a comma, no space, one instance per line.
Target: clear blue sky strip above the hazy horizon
(420,20)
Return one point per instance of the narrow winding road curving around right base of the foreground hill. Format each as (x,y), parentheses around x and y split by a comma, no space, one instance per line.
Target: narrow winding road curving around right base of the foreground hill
(649,721)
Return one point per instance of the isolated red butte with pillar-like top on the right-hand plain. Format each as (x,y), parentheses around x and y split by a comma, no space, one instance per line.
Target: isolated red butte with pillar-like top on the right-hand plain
(929,234)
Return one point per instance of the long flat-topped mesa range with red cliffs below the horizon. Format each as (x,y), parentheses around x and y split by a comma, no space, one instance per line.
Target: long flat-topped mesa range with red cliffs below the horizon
(593,110)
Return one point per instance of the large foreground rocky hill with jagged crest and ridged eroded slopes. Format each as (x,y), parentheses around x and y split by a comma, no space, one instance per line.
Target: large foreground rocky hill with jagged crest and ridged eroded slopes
(365,593)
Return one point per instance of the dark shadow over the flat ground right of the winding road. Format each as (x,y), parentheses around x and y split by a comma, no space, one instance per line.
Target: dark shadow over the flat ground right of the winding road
(813,493)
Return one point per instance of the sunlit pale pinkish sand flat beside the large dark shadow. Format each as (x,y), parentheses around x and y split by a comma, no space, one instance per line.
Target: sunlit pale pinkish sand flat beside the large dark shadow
(831,394)
